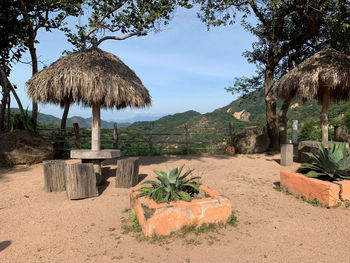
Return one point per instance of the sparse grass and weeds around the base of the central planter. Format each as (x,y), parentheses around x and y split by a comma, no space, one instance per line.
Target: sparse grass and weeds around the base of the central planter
(189,235)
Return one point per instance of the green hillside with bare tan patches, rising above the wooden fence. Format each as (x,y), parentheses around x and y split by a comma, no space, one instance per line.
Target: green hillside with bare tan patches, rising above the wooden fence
(254,104)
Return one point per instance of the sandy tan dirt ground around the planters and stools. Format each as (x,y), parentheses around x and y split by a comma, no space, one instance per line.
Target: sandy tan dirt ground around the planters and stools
(36,226)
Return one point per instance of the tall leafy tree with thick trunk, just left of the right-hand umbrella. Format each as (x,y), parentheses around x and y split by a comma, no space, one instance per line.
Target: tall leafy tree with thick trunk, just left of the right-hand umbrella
(282,28)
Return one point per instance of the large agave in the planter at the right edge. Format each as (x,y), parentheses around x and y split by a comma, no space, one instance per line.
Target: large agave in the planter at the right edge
(332,164)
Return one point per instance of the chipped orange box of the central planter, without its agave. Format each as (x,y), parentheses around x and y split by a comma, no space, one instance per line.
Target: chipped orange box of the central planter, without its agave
(162,219)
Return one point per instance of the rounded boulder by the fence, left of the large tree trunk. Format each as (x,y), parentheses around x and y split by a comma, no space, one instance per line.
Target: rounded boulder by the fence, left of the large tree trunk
(251,142)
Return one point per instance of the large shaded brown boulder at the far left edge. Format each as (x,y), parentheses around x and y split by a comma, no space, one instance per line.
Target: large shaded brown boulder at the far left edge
(23,147)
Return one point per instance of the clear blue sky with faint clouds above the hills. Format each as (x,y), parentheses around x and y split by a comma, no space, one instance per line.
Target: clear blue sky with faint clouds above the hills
(184,67)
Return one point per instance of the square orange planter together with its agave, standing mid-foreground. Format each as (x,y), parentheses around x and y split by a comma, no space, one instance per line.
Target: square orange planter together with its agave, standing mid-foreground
(175,201)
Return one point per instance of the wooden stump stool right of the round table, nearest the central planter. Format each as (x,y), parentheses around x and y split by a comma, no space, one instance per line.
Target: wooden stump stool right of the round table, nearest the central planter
(127,172)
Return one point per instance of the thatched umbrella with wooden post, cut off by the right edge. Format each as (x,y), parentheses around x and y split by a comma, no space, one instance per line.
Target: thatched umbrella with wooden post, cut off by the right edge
(325,76)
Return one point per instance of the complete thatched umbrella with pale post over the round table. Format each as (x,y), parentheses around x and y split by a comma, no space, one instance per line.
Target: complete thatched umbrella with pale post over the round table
(93,78)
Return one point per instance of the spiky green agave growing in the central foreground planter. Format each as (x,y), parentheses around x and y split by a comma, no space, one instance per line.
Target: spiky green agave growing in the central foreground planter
(172,186)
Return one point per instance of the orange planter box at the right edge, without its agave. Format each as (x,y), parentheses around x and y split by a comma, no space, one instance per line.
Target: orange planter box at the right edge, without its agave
(326,192)
